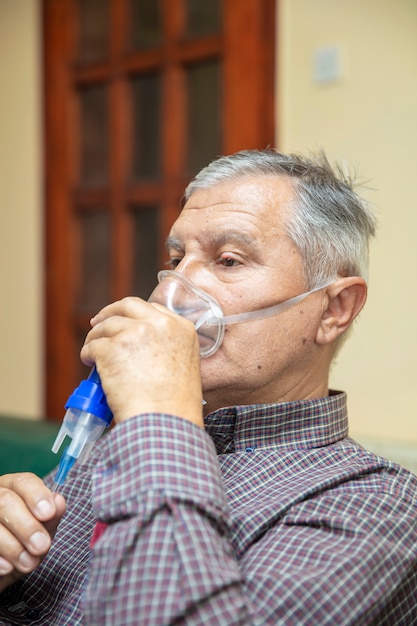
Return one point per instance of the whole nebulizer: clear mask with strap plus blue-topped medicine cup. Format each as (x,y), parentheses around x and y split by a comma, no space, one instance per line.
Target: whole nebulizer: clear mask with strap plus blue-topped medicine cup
(88,413)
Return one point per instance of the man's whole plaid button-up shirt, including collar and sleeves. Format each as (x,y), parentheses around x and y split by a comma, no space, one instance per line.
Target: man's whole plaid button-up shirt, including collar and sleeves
(284,520)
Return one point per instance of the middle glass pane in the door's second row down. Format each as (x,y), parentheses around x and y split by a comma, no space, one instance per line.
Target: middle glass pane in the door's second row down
(146,124)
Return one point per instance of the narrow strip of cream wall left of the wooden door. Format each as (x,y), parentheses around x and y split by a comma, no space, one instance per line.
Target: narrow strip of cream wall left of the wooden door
(21,339)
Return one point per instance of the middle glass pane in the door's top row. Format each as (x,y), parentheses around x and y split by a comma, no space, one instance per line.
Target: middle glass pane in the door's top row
(145,24)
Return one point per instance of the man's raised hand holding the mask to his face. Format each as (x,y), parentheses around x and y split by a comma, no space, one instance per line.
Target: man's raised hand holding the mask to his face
(147,358)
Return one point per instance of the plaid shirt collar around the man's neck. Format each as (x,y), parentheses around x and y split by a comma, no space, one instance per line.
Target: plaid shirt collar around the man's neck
(300,424)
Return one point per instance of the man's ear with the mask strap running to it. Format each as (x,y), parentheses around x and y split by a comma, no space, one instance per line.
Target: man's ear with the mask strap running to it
(345,299)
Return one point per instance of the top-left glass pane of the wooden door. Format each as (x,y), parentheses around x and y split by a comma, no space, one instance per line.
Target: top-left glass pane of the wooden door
(93,29)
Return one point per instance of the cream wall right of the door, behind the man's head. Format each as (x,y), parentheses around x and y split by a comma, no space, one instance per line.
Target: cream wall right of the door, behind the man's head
(366,117)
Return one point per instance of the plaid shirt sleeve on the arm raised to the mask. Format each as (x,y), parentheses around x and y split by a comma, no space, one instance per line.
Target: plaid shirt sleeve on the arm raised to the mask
(165,556)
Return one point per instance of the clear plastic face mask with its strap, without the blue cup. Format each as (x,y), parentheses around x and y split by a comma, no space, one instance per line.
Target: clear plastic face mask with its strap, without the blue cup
(180,295)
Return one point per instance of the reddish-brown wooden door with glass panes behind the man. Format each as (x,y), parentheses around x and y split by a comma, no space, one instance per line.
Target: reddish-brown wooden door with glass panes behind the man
(139,94)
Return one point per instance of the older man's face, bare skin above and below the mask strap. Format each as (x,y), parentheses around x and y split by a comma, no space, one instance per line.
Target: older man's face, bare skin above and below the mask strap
(230,241)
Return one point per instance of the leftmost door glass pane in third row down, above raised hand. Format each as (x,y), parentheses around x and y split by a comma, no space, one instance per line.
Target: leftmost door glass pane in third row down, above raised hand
(94,262)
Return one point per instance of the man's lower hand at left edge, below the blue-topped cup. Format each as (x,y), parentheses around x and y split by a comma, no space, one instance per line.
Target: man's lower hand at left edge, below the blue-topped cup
(29,517)
